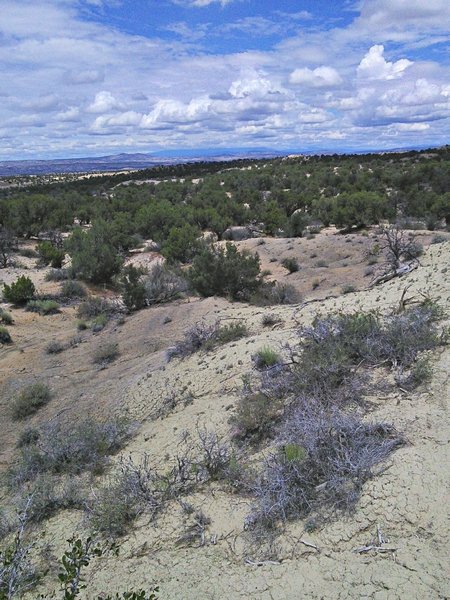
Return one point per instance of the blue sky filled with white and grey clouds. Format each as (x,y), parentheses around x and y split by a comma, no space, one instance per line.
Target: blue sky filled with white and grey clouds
(96,77)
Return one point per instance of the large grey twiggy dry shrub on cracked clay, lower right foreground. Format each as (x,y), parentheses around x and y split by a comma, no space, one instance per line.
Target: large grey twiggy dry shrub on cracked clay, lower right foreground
(320,464)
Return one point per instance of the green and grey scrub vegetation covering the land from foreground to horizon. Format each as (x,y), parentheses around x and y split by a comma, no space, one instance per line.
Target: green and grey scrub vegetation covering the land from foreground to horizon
(302,441)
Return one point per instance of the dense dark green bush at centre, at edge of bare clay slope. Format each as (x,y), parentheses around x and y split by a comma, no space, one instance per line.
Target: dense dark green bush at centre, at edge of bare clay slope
(225,272)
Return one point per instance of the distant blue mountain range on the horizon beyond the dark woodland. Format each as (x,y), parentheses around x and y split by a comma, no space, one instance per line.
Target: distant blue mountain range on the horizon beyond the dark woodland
(123,162)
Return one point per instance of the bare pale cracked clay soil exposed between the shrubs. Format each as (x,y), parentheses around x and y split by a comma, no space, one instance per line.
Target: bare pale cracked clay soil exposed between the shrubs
(408,500)
